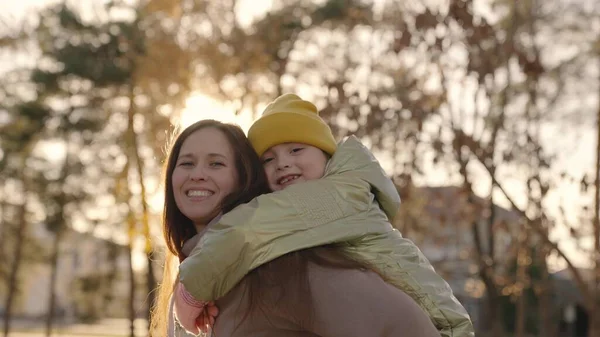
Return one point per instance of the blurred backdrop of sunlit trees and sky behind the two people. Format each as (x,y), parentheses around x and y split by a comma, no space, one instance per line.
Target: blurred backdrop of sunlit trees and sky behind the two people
(484,112)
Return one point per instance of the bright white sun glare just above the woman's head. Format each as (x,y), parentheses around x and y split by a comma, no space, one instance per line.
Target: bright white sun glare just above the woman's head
(199,107)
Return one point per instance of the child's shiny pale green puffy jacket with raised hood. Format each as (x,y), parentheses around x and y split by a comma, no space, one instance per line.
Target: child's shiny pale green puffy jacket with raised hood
(345,206)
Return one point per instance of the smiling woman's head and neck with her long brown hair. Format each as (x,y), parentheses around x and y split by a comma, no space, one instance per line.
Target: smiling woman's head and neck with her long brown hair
(210,168)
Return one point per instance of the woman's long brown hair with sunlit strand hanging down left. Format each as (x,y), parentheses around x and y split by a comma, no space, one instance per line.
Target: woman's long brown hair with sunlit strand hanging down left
(177,228)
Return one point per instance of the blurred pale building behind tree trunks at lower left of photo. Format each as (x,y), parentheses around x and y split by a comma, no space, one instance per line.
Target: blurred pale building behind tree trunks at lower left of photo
(92,280)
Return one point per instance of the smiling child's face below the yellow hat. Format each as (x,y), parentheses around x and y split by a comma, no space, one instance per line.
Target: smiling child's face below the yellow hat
(289,163)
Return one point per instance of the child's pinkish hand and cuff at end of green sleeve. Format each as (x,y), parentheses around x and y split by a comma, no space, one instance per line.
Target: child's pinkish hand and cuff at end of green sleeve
(188,309)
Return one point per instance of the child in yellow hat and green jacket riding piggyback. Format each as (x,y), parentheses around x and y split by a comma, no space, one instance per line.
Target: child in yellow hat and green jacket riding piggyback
(323,194)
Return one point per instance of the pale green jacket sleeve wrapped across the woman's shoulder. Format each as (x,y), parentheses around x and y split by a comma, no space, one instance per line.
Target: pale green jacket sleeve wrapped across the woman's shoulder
(301,216)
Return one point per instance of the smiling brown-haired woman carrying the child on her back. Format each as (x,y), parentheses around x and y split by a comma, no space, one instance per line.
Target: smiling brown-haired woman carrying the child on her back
(315,292)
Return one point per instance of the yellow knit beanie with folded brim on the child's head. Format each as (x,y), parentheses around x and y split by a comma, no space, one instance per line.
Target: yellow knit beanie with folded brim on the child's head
(289,119)
